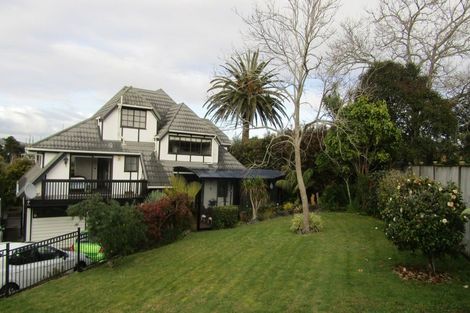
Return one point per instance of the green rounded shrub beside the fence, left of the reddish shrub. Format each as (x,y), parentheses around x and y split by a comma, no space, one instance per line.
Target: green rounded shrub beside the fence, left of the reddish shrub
(118,228)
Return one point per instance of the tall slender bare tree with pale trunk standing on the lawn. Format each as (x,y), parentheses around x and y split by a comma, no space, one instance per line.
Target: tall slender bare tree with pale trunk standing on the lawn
(293,36)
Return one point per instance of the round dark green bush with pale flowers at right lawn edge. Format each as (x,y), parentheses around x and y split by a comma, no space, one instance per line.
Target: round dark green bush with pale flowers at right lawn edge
(421,214)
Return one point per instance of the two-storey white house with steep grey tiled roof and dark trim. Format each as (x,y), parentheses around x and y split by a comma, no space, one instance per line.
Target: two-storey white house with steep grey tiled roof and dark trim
(130,146)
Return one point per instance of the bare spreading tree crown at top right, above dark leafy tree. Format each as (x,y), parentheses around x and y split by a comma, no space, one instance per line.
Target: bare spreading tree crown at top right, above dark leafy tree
(433,34)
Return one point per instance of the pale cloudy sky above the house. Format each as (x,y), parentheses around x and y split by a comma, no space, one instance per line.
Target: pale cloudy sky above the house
(61,60)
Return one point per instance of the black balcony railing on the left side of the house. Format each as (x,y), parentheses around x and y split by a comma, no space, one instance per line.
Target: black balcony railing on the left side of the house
(72,189)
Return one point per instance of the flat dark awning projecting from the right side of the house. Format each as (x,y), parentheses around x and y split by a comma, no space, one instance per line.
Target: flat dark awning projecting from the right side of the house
(238,174)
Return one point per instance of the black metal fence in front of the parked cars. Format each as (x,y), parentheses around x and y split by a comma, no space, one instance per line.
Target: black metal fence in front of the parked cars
(23,265)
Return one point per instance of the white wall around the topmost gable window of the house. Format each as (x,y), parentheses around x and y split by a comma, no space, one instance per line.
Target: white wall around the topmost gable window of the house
(112,128)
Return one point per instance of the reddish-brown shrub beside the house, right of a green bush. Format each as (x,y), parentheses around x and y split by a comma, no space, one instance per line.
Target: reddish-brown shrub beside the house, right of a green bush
(167,218)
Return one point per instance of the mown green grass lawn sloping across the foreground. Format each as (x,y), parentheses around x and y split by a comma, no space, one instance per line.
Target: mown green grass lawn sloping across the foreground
(258,268)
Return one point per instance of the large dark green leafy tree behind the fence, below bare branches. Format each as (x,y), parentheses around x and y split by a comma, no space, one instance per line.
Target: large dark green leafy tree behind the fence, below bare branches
(425,118)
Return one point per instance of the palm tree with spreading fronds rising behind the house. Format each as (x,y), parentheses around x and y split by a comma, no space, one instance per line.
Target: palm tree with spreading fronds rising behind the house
(246,94)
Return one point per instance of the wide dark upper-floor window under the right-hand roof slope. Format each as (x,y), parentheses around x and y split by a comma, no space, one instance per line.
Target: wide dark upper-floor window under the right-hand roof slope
(190,145)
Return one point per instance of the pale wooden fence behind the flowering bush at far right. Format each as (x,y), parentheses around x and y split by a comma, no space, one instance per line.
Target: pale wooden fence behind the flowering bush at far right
(460,175)
